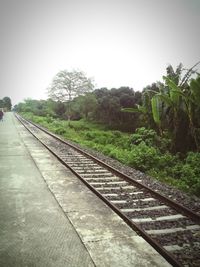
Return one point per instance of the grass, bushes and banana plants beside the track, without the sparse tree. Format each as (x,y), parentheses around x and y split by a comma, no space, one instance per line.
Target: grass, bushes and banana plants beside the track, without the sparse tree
(156,131)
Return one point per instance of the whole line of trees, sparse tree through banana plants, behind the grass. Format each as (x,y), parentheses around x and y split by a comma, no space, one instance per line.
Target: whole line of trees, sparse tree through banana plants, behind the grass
(171,107)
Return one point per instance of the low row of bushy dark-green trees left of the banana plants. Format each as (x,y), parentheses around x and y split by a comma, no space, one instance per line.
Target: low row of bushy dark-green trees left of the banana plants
(102,105)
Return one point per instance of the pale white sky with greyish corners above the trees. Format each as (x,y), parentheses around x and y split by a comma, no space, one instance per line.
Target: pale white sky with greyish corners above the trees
(117,42)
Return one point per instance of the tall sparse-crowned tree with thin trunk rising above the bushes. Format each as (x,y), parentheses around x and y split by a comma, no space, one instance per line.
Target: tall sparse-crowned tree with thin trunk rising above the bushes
(67,85)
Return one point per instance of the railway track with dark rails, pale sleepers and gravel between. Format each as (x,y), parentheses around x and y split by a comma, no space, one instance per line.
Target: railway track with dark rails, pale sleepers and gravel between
(172,229)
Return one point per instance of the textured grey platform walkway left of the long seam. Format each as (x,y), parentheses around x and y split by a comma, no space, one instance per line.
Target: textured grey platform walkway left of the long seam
(34,230)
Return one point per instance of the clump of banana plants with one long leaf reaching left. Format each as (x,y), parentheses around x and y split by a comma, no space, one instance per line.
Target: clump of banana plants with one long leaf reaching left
(176,99)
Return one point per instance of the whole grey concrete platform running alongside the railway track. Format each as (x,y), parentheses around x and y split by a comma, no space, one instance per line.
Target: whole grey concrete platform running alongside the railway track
(49,218)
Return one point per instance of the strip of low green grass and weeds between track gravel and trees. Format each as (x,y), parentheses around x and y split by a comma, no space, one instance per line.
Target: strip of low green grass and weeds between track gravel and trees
(143,150)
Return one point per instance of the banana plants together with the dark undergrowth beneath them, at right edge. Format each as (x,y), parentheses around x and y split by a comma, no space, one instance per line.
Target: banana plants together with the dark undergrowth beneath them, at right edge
(174,105)
